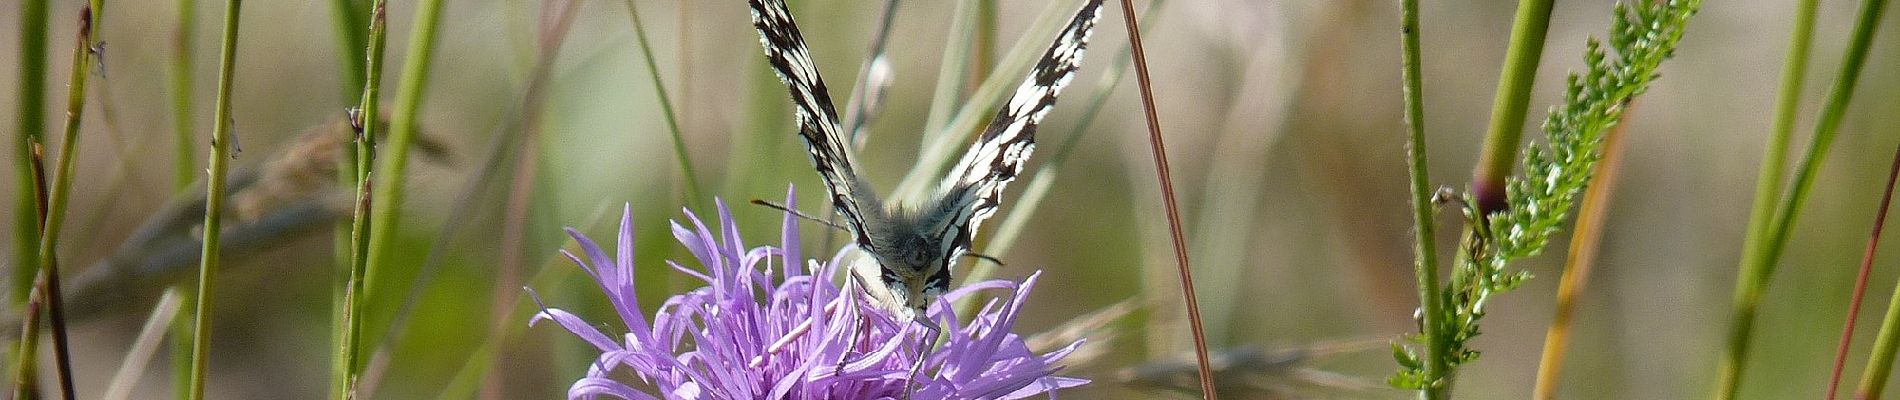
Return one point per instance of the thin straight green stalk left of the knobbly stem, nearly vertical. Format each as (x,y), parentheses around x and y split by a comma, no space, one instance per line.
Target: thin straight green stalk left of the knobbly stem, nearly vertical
(221,141)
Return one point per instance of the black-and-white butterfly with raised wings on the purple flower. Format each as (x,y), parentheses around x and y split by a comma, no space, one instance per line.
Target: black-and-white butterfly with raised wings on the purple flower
(915,244)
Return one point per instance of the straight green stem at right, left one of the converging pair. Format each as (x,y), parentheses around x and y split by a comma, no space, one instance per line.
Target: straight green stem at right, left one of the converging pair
(1768,187)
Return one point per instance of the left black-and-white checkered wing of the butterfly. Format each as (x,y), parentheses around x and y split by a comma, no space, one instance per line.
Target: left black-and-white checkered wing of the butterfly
(818,118)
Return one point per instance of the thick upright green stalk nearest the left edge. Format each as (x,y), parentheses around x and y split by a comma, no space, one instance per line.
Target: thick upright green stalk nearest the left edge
(29,130)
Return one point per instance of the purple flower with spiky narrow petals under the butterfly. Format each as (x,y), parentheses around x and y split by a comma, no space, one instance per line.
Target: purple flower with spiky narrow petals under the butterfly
(753,333)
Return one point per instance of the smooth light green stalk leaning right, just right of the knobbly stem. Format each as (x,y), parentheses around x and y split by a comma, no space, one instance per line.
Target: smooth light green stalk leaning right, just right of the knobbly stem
(394,168)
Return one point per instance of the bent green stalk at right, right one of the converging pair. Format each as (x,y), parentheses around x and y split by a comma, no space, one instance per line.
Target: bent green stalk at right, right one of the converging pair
(1762,257)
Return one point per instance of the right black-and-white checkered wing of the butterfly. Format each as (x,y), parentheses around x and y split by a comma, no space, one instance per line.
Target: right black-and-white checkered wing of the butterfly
(976,185)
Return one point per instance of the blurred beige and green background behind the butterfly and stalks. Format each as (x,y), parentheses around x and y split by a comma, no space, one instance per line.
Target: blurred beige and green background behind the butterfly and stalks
(1283,122)
